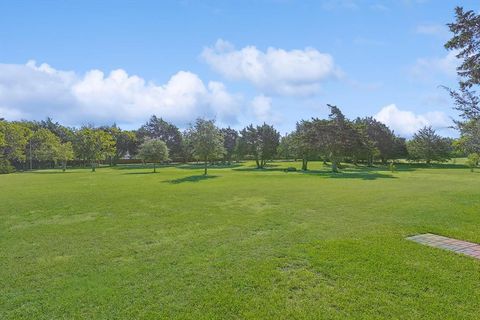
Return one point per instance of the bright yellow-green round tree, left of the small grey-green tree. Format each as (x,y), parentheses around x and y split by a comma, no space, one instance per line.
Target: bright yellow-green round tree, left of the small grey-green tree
(94,145)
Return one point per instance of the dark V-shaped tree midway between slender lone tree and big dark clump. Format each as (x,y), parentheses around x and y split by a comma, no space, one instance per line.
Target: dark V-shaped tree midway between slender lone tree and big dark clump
(261,142)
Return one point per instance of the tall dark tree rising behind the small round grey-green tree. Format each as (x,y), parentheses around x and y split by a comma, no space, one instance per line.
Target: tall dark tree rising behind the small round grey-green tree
(157,128)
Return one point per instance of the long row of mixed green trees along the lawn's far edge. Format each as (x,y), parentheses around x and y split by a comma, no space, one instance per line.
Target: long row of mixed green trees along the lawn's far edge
(336,139)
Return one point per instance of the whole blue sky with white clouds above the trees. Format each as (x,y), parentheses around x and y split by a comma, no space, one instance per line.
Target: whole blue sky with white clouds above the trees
(238,61)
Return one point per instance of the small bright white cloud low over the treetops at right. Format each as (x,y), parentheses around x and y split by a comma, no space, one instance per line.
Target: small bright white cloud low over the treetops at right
(407,123)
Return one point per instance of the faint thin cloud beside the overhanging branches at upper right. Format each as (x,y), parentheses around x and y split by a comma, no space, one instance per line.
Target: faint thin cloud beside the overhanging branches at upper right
(428,68)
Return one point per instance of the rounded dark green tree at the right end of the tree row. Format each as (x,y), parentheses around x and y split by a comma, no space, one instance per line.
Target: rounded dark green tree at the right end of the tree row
(426,145)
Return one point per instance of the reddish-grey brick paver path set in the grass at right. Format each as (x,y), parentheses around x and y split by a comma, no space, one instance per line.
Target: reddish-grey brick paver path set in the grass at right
(467,248)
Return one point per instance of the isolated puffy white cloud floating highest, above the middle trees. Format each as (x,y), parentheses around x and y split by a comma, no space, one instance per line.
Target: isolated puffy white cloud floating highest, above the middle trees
(295,72)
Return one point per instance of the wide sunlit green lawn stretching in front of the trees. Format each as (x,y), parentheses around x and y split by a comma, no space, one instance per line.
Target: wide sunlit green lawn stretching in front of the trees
(123,243)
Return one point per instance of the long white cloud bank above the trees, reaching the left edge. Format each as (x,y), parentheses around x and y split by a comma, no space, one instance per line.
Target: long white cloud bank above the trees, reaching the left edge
(32,91)
